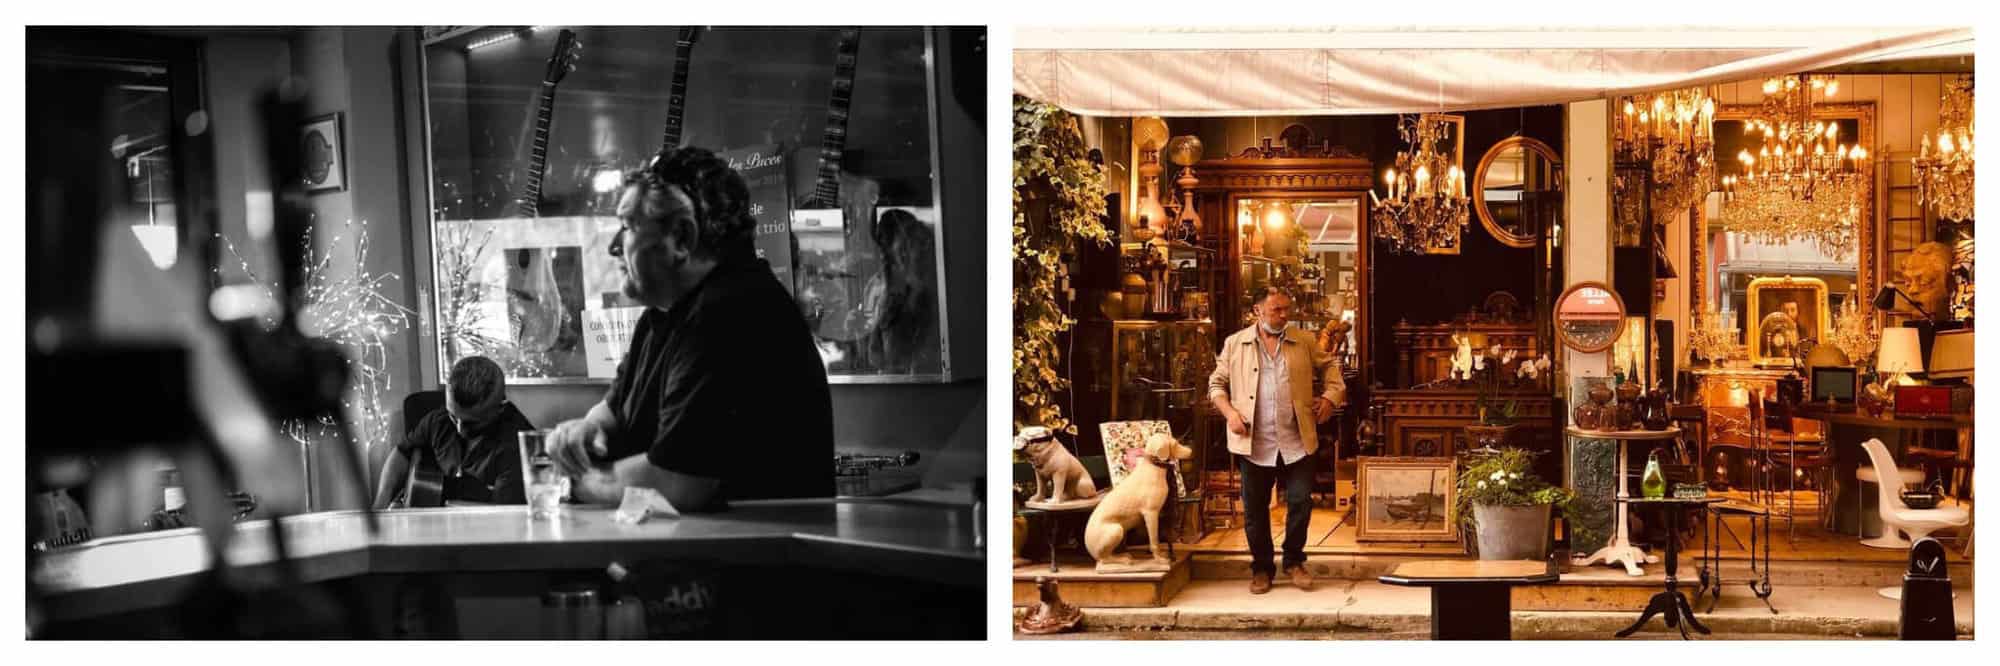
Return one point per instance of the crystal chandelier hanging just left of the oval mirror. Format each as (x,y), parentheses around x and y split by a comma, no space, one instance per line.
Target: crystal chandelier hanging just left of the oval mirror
(1425,203)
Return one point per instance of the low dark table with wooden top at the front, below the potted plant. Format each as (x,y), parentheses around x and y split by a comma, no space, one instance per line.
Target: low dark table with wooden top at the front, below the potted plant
(1471,599)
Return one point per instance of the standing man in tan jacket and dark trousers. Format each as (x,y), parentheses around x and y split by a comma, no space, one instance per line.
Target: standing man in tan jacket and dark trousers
(1263,389)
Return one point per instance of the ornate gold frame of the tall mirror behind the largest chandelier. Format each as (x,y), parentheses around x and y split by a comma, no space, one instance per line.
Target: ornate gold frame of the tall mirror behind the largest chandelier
(1867,251)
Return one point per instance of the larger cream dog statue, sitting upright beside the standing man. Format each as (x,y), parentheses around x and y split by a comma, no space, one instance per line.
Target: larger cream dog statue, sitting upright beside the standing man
(1137,499)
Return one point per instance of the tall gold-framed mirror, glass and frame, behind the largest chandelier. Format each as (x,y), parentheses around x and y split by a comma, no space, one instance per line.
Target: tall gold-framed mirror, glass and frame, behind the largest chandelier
(1731,263)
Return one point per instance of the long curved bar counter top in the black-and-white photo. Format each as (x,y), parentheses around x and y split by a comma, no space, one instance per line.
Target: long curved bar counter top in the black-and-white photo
(901,537)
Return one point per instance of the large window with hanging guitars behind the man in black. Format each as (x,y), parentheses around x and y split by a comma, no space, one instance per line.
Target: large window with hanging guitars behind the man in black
(853,233)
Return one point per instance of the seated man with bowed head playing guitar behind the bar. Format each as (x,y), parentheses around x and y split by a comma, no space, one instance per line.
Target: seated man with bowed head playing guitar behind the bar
(467,451)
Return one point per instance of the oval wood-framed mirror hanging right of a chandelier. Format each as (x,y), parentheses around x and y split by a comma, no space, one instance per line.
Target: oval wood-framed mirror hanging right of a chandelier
(1513,191)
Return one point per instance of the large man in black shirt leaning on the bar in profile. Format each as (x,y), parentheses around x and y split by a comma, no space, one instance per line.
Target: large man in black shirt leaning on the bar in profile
(723,395)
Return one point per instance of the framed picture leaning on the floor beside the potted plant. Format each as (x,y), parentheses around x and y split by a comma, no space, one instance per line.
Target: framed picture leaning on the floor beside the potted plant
(1407,501)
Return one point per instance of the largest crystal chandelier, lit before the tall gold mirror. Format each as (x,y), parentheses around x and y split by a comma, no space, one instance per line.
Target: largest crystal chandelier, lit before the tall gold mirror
(1803,183)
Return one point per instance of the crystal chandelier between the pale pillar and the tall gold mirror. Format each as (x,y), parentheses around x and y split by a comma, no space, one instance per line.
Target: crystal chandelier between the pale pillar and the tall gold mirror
(1673,133)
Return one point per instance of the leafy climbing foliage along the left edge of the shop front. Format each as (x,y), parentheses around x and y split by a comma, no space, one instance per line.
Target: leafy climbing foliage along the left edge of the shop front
(1059,199)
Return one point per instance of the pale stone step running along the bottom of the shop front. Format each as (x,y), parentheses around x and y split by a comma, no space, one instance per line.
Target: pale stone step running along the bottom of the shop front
(1405,613)
